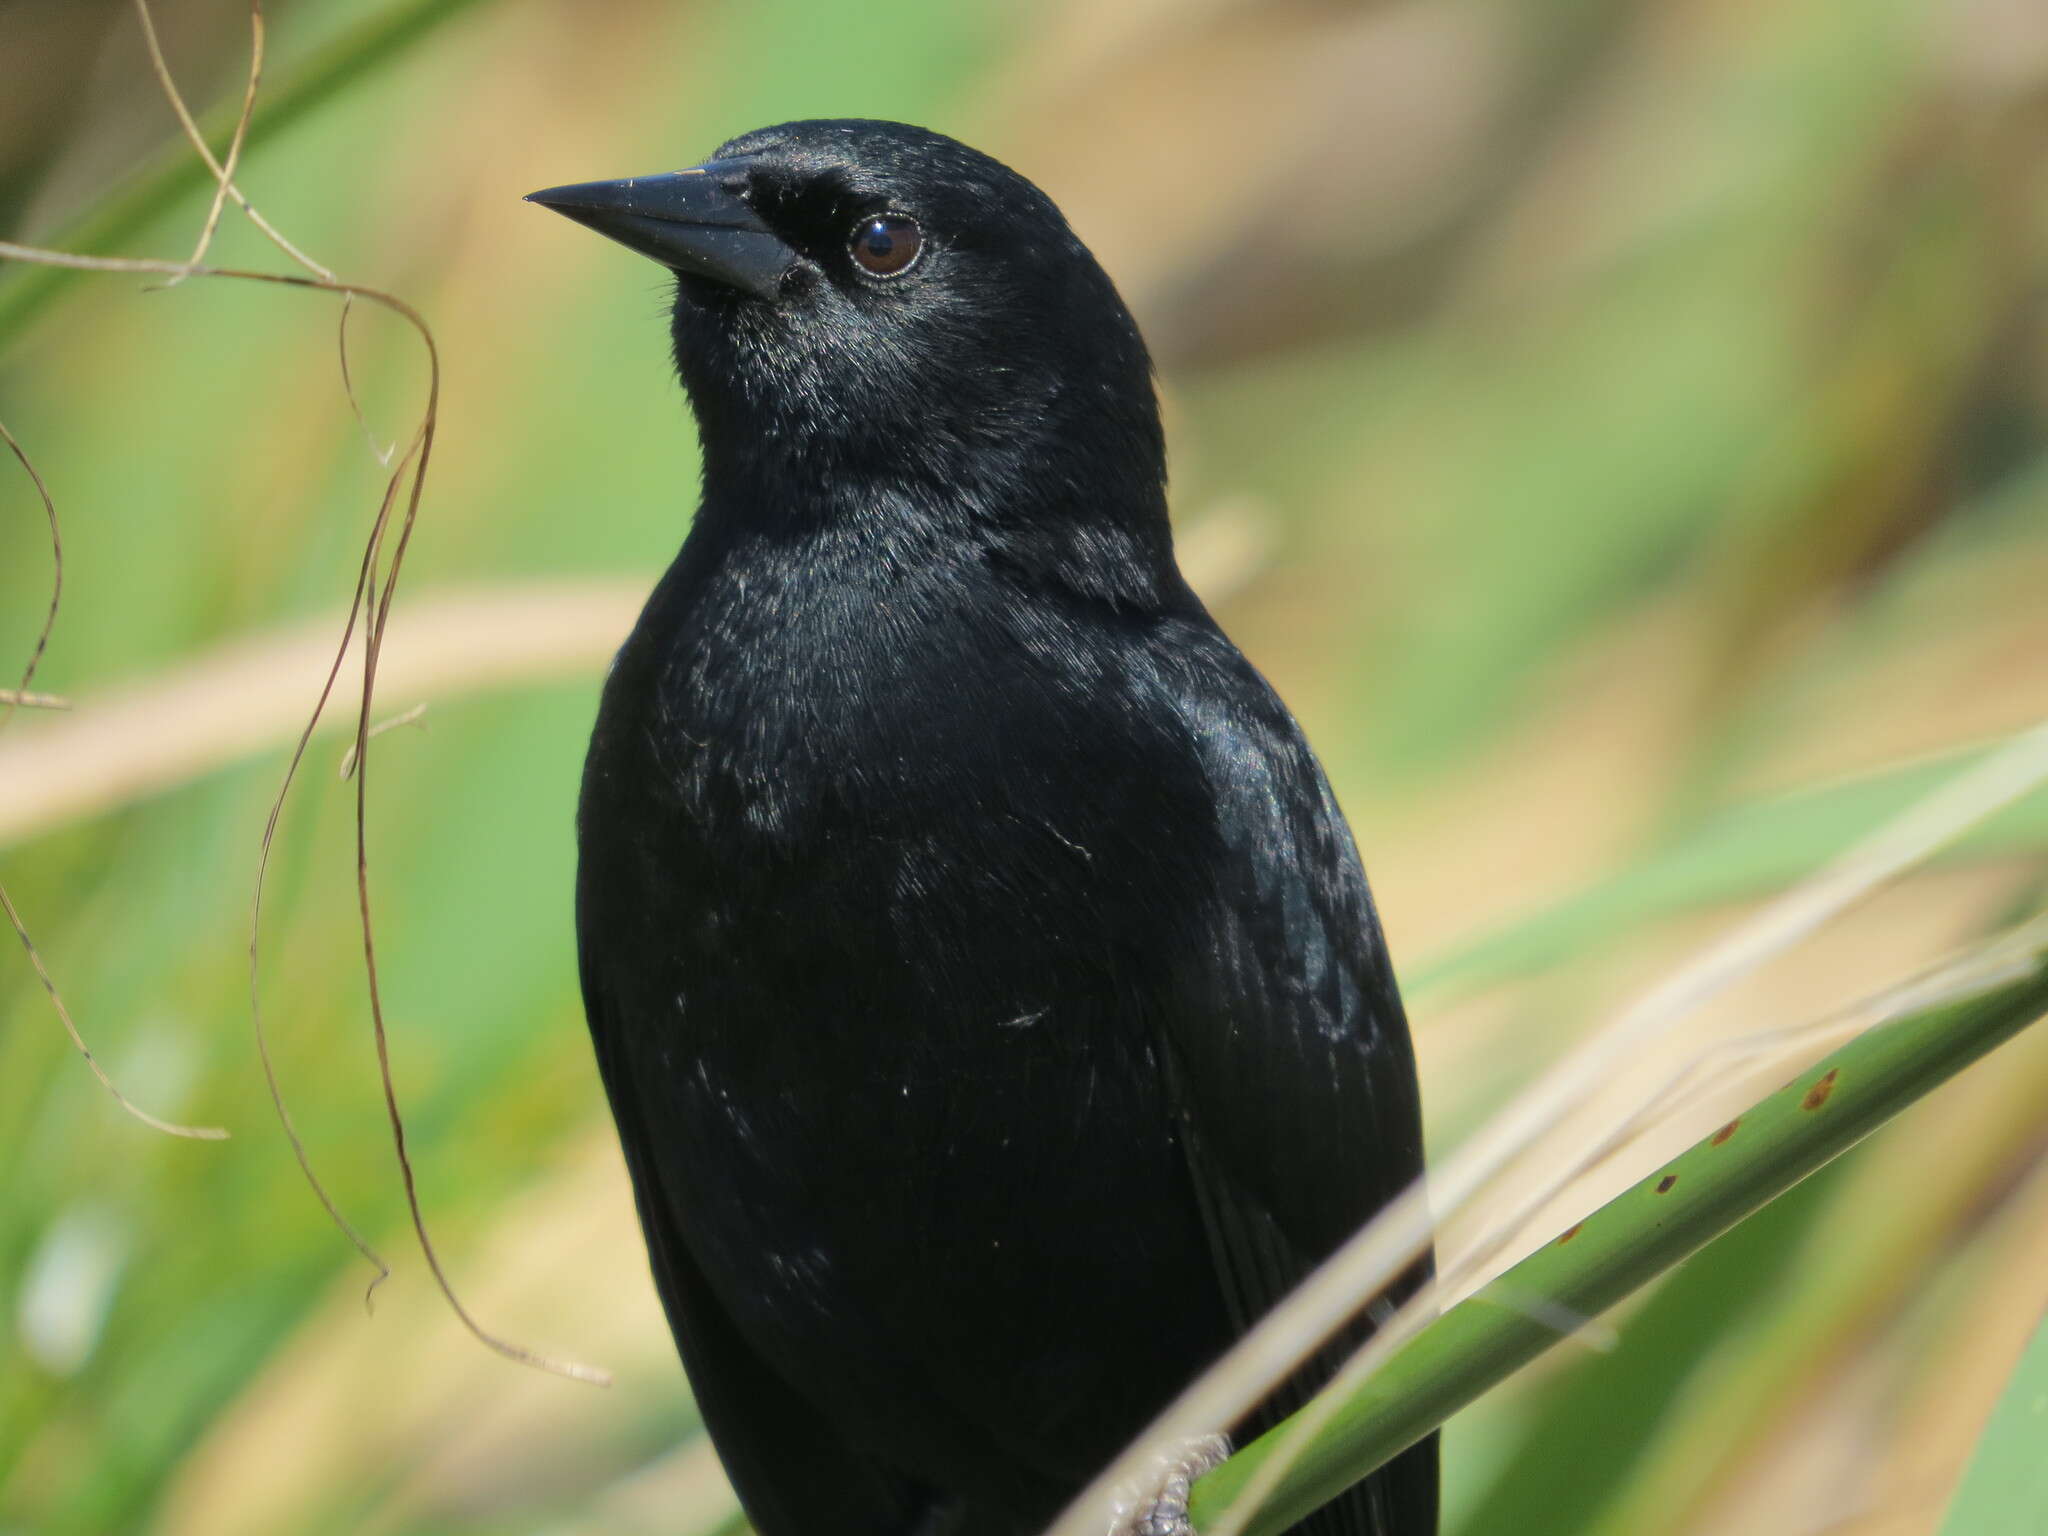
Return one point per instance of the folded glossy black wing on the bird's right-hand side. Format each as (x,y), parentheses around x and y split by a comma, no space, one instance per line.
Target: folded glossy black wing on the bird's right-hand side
(1289,1050)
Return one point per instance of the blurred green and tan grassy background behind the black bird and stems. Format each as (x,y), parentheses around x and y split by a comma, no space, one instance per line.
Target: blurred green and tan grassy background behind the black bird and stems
(1615,425)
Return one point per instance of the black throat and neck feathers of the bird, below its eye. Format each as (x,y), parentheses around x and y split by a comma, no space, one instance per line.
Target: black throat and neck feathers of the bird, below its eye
(1058,484)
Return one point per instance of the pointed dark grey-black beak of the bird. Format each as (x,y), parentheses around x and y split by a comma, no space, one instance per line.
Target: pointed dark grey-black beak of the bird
(685,220)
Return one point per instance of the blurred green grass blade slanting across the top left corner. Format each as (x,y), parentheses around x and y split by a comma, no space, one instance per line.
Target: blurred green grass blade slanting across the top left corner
(175,171)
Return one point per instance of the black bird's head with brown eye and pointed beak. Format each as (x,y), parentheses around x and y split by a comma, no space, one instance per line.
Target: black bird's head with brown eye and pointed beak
(880,300)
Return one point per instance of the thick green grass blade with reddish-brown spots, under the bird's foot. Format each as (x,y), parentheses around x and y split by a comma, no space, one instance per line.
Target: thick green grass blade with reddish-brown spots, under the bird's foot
(1637,1236)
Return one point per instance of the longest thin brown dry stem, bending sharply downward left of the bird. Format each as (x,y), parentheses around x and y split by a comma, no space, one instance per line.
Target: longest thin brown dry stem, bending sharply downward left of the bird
(374,597)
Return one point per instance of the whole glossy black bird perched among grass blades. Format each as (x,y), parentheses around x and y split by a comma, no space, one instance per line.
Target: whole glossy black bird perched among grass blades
(980,970)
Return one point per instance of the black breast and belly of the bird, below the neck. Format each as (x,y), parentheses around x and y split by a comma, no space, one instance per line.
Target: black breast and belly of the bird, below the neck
(894,892)
